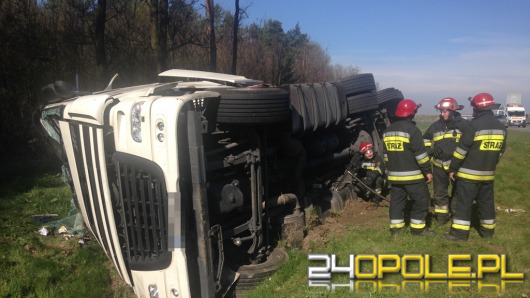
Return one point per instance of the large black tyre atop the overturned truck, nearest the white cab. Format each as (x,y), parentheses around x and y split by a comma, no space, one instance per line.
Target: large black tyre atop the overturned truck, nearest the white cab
(253,106)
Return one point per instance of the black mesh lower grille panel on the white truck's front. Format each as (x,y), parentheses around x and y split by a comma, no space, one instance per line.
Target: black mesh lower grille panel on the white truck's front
(144,212)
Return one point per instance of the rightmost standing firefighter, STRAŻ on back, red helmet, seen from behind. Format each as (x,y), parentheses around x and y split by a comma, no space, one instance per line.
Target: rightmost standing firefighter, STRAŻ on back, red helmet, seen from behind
(473,164)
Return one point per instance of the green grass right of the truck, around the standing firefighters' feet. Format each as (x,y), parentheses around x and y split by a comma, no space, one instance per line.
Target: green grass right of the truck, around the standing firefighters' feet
(511,239)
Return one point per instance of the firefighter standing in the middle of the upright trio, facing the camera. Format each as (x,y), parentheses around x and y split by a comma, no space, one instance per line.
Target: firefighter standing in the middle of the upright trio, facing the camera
(441,138)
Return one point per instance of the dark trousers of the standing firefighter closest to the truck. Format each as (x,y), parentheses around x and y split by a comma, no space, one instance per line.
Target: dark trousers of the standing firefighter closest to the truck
(420,197)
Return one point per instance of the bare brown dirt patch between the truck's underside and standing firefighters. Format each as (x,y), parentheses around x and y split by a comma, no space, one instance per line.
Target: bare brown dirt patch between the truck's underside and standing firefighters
(357,212)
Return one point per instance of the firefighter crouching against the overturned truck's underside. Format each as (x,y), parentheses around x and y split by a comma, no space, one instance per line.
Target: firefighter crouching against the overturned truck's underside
(371,173)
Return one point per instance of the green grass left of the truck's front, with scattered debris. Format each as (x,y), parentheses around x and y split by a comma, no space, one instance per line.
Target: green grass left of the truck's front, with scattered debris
(46,266)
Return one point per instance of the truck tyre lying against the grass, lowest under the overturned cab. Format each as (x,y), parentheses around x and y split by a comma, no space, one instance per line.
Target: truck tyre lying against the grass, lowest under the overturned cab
(251,276)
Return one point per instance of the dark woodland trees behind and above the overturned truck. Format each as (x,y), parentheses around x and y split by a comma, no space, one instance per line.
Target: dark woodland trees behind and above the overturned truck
(86,42)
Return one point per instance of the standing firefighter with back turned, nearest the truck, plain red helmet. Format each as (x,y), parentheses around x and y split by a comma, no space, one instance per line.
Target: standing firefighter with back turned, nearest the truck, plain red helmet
(409,169)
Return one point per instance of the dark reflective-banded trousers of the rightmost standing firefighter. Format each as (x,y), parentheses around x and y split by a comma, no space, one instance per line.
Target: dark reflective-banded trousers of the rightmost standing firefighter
(467,193)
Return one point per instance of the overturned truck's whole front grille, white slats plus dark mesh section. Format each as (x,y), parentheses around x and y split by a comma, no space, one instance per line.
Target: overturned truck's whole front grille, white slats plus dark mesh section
(125,204)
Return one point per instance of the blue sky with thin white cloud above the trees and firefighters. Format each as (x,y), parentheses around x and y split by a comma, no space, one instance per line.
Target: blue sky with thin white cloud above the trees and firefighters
(428,49)
